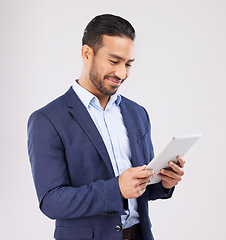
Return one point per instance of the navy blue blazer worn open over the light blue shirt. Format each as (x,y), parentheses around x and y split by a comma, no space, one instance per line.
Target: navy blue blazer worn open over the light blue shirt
(72,171)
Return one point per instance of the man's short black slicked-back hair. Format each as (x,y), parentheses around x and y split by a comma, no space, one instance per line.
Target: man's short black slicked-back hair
(106,24)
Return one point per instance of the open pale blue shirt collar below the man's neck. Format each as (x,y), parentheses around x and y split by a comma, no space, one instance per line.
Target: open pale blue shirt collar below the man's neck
(87,97)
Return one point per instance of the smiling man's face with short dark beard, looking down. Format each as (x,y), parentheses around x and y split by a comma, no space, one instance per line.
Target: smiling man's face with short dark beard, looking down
(111,64)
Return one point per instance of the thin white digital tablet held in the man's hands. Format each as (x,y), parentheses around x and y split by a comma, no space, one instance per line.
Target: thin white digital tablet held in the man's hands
(177,146)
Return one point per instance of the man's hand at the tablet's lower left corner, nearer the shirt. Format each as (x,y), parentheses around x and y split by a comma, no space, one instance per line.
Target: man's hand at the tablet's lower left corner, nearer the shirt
(133,181)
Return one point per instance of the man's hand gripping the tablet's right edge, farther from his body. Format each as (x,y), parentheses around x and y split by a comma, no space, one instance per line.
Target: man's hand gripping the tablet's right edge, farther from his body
(172,177)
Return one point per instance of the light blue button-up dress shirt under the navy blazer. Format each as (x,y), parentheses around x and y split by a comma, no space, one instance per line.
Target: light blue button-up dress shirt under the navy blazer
(109,123)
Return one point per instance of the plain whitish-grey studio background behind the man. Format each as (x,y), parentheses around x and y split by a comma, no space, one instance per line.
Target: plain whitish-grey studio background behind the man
(178,76)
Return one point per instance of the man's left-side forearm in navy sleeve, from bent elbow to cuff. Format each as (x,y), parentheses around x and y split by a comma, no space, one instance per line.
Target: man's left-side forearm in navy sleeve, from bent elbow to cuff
(98,198)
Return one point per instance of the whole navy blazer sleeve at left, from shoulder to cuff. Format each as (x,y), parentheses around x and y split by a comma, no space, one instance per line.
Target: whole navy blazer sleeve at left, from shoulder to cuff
(57,198)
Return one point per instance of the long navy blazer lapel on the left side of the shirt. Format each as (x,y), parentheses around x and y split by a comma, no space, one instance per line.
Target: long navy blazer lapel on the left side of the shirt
(83,118)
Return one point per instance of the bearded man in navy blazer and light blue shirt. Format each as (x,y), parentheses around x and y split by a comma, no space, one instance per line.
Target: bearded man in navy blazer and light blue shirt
(89,148)
